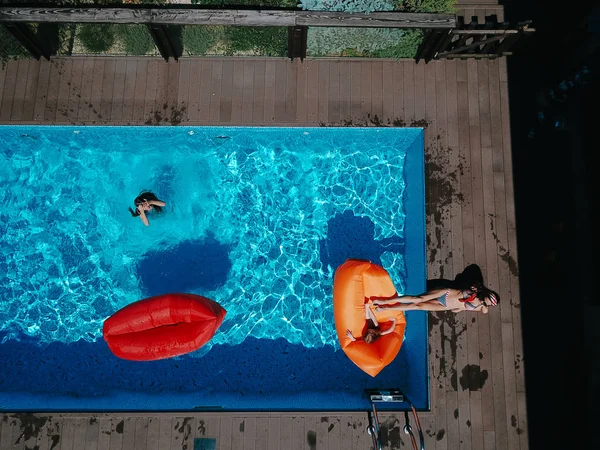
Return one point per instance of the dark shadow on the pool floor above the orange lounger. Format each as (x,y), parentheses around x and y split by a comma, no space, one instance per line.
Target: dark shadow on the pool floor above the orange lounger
(350,236)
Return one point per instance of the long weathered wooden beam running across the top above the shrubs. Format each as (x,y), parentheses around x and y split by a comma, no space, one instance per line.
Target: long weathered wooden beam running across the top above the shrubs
(203,16)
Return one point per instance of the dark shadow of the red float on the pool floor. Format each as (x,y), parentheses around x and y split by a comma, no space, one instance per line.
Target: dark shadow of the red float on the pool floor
(188,266)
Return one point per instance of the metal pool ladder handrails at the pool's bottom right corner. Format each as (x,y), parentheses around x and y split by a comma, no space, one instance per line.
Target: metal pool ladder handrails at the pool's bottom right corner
(393,396)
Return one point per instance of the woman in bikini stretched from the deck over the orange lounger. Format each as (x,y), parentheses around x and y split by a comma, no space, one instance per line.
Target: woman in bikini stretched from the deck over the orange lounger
(477,298)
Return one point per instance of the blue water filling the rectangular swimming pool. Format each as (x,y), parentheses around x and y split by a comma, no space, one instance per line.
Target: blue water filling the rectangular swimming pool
(256,219)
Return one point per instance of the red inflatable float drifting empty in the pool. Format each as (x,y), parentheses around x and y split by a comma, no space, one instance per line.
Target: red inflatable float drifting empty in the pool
(163,326)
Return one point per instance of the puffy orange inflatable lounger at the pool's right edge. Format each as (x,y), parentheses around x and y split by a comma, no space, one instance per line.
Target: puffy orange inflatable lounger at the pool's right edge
(356,282)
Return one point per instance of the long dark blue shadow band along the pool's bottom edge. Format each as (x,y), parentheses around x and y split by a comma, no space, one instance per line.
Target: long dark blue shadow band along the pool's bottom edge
(84,369)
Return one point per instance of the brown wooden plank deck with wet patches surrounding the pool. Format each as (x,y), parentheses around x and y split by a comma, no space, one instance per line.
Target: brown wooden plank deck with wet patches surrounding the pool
(477,382)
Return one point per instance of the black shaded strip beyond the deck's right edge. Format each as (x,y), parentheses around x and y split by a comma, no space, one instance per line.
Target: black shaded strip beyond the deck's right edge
(554,126)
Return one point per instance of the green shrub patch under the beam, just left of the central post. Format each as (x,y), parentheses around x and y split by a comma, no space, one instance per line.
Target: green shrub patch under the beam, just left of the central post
(267,41)
